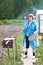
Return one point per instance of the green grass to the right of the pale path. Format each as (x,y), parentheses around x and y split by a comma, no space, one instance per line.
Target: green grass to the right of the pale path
(39,54)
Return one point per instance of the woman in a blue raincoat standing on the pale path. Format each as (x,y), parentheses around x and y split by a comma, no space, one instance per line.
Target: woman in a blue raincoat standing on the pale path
(30,31)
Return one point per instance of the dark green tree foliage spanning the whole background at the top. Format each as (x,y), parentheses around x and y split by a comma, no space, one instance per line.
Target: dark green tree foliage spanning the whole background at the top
(10,9)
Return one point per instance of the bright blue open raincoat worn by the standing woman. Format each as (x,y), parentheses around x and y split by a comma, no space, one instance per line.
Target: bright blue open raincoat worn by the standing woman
(33,27)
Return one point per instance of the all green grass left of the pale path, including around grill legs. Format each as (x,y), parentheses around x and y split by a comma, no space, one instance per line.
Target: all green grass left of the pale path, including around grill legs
(18,58)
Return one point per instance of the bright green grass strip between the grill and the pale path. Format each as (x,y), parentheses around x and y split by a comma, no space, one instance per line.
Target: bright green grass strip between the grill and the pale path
(19,42)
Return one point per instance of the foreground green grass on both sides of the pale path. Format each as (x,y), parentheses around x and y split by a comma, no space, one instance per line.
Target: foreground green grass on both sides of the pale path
(39,53)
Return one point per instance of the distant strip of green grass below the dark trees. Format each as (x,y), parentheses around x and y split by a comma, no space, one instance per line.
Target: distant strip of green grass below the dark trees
(11,21)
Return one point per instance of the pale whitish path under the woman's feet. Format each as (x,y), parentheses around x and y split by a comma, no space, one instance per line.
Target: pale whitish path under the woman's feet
(29,60)
